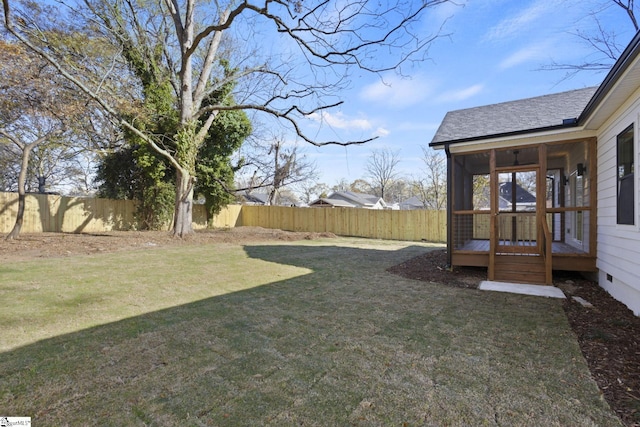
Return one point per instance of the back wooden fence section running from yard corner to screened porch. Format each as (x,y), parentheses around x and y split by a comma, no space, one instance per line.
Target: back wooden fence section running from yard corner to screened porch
(413,225)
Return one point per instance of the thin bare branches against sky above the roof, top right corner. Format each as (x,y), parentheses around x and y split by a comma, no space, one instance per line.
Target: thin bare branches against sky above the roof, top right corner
(604,42)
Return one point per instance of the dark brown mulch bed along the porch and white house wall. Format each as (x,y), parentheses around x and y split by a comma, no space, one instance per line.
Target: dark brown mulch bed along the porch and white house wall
(608,332)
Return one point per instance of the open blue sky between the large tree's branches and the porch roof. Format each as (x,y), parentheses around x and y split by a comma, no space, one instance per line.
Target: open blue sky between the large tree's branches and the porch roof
(493,54)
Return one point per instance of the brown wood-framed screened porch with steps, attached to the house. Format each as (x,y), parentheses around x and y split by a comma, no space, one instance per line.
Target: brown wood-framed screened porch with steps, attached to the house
(535,201)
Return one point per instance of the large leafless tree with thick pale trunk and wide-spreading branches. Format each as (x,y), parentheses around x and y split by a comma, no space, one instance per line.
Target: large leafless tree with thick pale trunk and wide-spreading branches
(188,43)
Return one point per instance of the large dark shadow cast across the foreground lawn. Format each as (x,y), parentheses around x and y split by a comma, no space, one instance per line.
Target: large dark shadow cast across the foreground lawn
(346,344)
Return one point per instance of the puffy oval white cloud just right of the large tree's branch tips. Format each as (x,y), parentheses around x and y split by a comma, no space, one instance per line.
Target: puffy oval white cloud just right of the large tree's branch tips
(397,92)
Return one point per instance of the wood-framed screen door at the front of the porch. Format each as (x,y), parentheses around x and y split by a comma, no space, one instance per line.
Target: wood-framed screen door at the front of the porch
(516,226)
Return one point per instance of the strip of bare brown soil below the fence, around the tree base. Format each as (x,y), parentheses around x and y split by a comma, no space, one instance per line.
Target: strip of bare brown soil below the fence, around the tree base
(46,245)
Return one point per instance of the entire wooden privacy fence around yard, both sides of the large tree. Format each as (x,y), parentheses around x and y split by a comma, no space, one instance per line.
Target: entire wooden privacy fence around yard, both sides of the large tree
(52,213)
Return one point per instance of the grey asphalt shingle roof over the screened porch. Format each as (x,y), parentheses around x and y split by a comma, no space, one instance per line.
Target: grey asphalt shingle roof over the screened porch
(514,116)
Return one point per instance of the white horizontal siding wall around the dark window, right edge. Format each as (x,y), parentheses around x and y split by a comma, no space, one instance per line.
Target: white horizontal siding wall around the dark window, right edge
(618,253)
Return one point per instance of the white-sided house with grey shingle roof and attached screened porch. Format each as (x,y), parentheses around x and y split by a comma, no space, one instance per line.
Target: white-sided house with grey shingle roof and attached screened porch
(578,148)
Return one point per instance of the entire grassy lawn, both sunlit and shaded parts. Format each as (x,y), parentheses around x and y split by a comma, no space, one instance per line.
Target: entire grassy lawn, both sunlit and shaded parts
(295,333)
